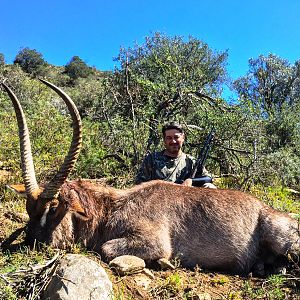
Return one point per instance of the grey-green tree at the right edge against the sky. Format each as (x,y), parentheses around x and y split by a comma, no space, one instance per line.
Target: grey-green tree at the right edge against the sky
(271,90)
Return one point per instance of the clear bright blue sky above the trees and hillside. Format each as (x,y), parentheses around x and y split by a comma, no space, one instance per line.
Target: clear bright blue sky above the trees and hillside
(95,30)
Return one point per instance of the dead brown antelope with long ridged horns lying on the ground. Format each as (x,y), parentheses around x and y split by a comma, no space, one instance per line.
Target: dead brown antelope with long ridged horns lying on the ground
(223,230)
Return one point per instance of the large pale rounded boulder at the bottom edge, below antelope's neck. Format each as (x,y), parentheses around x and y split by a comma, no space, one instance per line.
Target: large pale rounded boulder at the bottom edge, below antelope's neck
(78,277)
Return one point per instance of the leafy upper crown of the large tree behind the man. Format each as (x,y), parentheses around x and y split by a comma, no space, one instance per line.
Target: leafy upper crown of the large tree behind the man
(164,67)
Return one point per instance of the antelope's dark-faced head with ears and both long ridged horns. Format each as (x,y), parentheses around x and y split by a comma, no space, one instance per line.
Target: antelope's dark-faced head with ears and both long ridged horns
(45,202)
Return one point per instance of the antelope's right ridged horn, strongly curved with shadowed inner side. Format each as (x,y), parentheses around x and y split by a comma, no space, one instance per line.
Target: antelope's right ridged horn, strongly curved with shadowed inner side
(53,187)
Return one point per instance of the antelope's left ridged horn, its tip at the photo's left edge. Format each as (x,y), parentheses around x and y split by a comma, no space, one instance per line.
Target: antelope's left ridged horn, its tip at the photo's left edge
(29,178)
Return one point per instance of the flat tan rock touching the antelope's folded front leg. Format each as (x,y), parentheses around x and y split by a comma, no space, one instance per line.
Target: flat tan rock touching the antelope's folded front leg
(127,264)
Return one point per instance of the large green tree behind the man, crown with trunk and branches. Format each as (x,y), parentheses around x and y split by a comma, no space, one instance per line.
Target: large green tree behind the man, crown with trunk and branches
(166,78)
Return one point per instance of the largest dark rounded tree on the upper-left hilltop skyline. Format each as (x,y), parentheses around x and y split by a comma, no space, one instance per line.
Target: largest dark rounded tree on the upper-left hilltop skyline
(31,61)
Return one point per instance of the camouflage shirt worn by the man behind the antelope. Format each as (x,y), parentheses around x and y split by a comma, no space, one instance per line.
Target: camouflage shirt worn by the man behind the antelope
(156,165)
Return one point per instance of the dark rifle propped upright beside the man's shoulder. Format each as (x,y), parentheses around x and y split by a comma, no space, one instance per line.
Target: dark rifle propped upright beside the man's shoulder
(199,181)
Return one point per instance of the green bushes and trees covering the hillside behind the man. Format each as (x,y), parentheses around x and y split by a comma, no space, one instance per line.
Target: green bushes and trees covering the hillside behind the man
(257,142)
